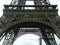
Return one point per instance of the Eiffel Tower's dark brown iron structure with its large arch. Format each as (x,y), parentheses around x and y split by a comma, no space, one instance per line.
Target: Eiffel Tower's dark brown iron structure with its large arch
(19,18)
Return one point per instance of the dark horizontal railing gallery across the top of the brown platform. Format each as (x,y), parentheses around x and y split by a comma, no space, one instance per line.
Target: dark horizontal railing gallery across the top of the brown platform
(34,6)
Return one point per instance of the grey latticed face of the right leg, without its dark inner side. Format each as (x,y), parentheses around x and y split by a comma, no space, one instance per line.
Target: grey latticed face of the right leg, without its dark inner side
(50,37)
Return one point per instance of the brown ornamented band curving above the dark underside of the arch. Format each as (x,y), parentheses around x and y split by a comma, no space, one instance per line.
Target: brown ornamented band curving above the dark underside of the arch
(13,22)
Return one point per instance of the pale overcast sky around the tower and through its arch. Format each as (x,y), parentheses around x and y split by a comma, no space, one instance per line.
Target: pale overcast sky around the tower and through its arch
(53,2)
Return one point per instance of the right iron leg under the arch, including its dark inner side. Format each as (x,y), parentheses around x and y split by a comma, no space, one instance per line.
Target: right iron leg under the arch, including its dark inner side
(48,37)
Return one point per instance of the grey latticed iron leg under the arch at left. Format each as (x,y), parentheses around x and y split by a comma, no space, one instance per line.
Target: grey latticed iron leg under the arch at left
(9,38)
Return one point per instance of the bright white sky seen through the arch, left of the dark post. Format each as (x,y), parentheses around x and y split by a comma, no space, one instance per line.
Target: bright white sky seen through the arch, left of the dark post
(27,40)
